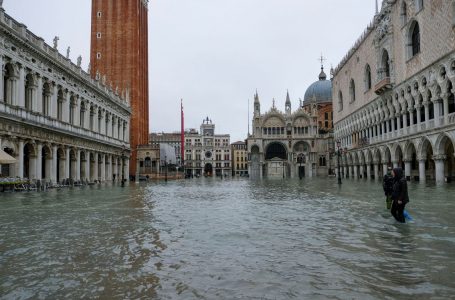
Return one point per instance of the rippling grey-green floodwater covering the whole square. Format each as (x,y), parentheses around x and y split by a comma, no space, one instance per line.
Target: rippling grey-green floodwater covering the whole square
(207,238)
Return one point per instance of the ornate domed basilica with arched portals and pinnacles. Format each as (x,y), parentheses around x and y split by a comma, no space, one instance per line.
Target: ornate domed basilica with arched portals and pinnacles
(293,144)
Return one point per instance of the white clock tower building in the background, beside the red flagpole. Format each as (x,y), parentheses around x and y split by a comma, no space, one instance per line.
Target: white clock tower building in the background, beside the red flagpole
(207,153)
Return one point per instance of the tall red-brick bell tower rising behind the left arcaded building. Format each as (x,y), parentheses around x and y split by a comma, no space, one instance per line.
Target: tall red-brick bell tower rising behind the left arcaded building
(119,50)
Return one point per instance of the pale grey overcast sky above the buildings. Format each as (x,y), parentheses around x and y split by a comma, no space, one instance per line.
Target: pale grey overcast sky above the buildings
(215,53)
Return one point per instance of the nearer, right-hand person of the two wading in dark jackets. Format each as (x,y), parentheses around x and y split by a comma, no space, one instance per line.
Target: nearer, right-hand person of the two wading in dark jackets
(399,194)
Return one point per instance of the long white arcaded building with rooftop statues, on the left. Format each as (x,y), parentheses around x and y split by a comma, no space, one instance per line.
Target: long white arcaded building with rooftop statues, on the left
(55,120)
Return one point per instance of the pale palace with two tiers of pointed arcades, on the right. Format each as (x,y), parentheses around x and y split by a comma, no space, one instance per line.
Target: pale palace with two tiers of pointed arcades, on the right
(393,93)
